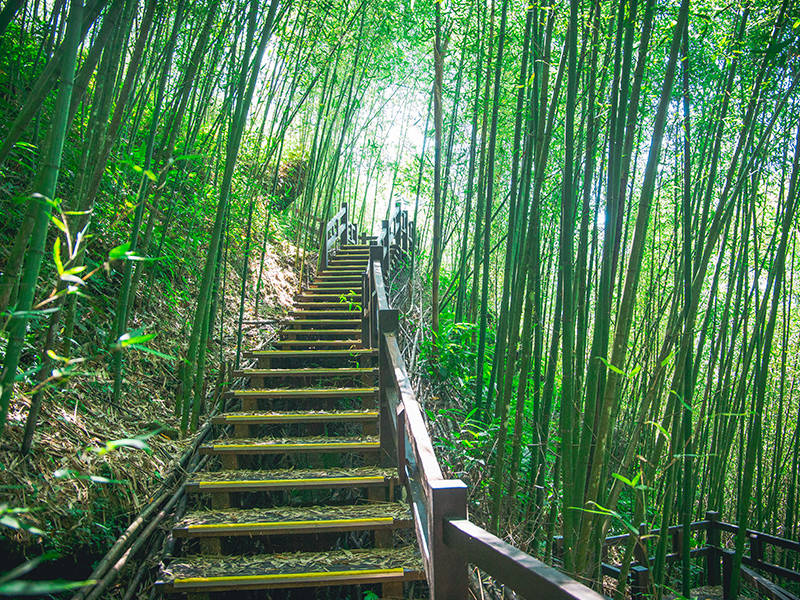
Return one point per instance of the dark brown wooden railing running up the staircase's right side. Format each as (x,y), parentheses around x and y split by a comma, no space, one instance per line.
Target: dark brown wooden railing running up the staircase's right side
(448,541)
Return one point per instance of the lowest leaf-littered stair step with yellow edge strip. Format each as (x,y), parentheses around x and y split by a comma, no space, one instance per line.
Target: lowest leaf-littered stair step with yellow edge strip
(301,569)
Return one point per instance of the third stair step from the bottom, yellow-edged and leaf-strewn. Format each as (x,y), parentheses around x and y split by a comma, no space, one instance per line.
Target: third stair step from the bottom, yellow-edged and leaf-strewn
(290,479)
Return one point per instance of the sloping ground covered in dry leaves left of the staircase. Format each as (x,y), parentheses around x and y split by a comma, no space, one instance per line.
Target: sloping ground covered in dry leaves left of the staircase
(85,480)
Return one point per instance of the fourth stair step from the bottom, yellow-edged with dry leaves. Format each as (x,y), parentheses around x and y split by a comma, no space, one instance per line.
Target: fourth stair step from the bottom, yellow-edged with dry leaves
(293,445)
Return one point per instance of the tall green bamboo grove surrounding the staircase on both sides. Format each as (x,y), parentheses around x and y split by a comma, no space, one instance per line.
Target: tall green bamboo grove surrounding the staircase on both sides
(605,195)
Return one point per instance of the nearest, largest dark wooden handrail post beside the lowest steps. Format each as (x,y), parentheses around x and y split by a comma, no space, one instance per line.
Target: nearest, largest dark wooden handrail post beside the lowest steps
(448,499)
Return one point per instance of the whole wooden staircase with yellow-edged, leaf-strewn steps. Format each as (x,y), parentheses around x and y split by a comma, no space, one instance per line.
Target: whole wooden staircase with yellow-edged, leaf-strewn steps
(298,497)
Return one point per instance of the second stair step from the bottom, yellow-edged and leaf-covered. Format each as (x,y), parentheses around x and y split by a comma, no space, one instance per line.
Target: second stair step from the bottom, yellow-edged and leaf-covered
(290,520)
